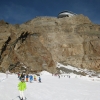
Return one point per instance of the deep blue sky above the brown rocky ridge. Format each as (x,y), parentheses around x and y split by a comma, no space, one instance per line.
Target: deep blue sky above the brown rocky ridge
(20,11)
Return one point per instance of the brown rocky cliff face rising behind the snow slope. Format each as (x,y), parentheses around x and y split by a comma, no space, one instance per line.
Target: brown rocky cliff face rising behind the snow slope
(42,42)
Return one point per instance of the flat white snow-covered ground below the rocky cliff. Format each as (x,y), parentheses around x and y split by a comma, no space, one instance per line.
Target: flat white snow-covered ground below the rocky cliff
(52,88)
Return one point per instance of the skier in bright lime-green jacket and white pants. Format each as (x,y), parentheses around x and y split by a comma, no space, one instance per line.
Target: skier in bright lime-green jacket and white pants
(22,88)
